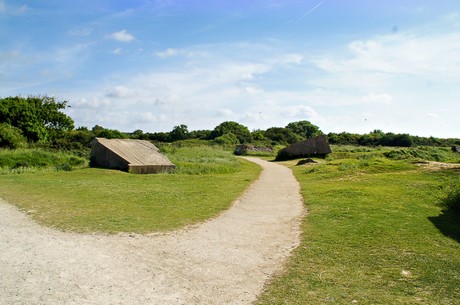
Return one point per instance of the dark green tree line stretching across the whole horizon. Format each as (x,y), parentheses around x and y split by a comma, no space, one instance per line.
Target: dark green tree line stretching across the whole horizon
(39,120)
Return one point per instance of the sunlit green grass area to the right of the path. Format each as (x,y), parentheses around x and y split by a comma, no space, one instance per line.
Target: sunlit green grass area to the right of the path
(375,232)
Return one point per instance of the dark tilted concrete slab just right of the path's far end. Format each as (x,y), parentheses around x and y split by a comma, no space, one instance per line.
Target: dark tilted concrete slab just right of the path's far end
(312,147)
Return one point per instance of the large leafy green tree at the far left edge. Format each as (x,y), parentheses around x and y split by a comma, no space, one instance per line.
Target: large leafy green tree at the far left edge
(38,117)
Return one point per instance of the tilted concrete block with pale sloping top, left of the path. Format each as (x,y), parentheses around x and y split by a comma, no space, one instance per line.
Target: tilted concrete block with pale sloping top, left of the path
(132,156)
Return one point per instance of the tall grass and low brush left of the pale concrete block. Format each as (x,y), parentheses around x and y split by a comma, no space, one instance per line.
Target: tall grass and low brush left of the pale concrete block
(32,160)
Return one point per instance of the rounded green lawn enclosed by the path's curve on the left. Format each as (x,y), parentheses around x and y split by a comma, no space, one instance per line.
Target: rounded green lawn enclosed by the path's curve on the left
(207,181)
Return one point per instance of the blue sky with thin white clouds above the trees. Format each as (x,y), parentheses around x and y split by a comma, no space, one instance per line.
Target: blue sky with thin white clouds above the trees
(344,65)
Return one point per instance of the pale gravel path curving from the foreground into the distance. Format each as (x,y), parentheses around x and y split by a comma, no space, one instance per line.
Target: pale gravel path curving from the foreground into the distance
(226,260)
